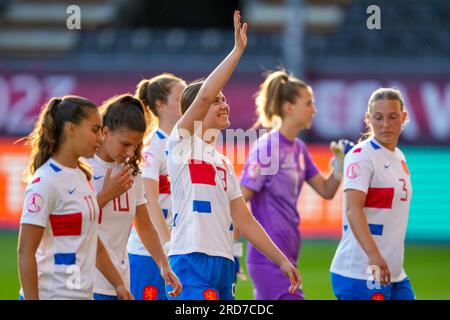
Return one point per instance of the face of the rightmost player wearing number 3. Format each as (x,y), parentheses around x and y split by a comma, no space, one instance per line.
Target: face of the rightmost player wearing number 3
(386,119)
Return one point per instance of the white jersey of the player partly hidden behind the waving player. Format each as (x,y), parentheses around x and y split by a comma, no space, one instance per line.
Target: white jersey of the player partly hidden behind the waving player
(155,168)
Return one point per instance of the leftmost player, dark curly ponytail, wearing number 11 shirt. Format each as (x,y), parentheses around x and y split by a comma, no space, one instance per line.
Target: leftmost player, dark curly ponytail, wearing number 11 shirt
(58,243)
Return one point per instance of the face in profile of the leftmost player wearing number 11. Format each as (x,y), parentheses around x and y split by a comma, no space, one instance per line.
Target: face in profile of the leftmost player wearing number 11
(87,135)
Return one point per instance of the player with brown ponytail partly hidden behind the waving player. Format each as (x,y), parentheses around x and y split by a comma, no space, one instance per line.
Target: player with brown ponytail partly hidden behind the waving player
(160,94)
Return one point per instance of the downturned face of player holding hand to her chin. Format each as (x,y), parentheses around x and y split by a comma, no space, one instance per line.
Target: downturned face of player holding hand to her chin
(121,143)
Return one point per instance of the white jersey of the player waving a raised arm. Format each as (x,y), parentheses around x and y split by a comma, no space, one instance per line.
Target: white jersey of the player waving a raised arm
(203,185)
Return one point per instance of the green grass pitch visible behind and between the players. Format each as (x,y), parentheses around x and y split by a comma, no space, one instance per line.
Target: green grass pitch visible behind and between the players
(427,266)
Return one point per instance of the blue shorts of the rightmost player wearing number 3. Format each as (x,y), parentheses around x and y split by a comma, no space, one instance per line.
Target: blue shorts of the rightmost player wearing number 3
(354,289)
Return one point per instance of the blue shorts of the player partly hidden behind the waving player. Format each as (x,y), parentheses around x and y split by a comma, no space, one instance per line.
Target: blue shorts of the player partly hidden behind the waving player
(145,278)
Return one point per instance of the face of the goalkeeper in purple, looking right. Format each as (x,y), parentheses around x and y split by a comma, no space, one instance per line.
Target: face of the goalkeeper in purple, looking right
(304,108)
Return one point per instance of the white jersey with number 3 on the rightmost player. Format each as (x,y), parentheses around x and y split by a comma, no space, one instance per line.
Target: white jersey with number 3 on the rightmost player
(384,176)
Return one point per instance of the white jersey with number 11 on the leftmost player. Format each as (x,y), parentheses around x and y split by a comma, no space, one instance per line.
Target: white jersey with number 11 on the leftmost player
(62,201)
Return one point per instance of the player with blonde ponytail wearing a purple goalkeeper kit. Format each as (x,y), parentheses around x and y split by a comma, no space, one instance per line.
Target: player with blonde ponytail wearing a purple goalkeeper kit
(285,104)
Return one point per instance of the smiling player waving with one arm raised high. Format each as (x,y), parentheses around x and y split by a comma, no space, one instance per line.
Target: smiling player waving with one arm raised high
(205,192)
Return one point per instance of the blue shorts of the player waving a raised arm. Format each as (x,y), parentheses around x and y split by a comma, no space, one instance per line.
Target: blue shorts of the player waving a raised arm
(204,277)
